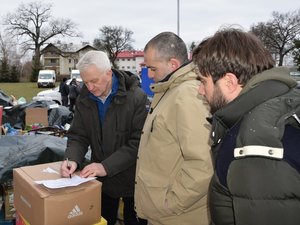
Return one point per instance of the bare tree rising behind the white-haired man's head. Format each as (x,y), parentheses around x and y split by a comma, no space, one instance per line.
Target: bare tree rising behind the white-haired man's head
(113,40)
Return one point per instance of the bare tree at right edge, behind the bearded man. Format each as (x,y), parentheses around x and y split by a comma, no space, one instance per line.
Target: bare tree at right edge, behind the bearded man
(279,33)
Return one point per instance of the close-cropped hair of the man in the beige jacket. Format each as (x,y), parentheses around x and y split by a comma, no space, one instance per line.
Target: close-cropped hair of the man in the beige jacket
(168,45)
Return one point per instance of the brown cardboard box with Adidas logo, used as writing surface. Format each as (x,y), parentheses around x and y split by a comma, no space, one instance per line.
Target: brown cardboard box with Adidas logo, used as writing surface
(42,206)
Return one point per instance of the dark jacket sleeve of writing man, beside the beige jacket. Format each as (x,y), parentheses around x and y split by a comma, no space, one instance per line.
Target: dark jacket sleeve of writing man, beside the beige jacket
(125,156)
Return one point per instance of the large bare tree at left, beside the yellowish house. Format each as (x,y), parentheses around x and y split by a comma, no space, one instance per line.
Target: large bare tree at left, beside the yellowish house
(33,25)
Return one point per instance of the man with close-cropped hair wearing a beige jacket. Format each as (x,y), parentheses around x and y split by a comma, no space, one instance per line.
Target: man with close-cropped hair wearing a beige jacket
(174,164)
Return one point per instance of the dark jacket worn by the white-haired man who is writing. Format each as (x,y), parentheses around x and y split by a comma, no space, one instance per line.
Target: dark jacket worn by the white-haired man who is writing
(114,142)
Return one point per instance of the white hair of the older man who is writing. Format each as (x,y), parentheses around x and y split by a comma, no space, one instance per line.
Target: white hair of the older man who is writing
(96,58)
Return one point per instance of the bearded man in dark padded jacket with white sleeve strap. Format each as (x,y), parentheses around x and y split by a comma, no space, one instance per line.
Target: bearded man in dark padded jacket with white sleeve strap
(255,131)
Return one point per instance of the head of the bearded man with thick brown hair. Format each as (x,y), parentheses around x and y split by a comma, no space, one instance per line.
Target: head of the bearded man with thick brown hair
(226,62)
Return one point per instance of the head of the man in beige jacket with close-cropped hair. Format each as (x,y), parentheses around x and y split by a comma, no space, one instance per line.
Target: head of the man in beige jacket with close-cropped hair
(163,54)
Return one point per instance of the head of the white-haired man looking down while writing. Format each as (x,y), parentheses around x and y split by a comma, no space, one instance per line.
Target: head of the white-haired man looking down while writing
(95,71)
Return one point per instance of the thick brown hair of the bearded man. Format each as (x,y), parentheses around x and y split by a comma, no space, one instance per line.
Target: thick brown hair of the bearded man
(232,50)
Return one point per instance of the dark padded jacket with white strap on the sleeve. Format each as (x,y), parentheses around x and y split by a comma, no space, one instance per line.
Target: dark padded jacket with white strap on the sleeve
(257,154)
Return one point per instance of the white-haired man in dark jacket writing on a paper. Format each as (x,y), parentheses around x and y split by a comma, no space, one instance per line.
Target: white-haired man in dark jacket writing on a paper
(109,116)
